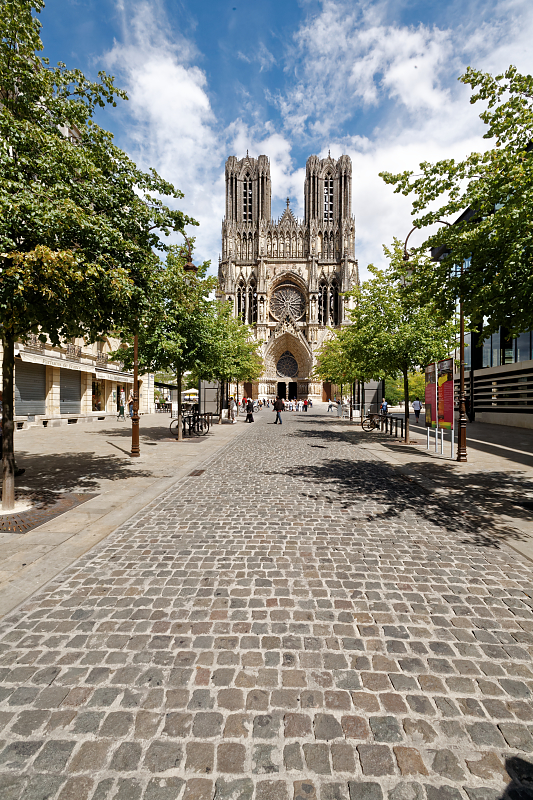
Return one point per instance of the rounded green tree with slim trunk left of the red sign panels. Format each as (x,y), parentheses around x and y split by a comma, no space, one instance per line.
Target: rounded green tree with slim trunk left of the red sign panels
(392,332)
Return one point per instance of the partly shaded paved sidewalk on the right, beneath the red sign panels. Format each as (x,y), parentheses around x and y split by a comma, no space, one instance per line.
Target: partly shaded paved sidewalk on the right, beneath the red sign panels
(495,484)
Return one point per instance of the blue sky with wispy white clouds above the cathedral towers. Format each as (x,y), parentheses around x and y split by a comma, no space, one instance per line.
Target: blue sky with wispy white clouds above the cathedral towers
(376,79)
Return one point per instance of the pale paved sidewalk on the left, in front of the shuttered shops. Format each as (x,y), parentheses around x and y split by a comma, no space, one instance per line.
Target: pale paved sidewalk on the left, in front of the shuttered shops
(92,459)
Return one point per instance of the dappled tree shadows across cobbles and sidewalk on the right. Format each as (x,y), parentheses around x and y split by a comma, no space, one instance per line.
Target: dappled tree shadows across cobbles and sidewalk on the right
(351,480)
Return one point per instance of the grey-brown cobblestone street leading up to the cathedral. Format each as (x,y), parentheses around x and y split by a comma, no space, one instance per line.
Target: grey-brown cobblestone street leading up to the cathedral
(296,623)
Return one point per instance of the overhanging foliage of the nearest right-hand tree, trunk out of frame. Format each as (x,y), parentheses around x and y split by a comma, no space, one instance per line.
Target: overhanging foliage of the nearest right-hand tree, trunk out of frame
(493,193)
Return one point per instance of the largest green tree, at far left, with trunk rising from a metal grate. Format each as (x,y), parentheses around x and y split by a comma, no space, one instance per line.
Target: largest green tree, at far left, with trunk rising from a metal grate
(78,219)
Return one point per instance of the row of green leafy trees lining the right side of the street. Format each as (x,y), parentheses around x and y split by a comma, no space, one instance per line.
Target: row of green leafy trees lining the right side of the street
(405,316)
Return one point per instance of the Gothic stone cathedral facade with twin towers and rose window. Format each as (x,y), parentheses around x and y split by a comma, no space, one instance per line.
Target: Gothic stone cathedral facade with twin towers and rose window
(286,277)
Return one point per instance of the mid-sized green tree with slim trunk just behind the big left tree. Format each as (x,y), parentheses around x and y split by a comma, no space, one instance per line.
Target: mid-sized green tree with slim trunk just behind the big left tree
(175,329)
